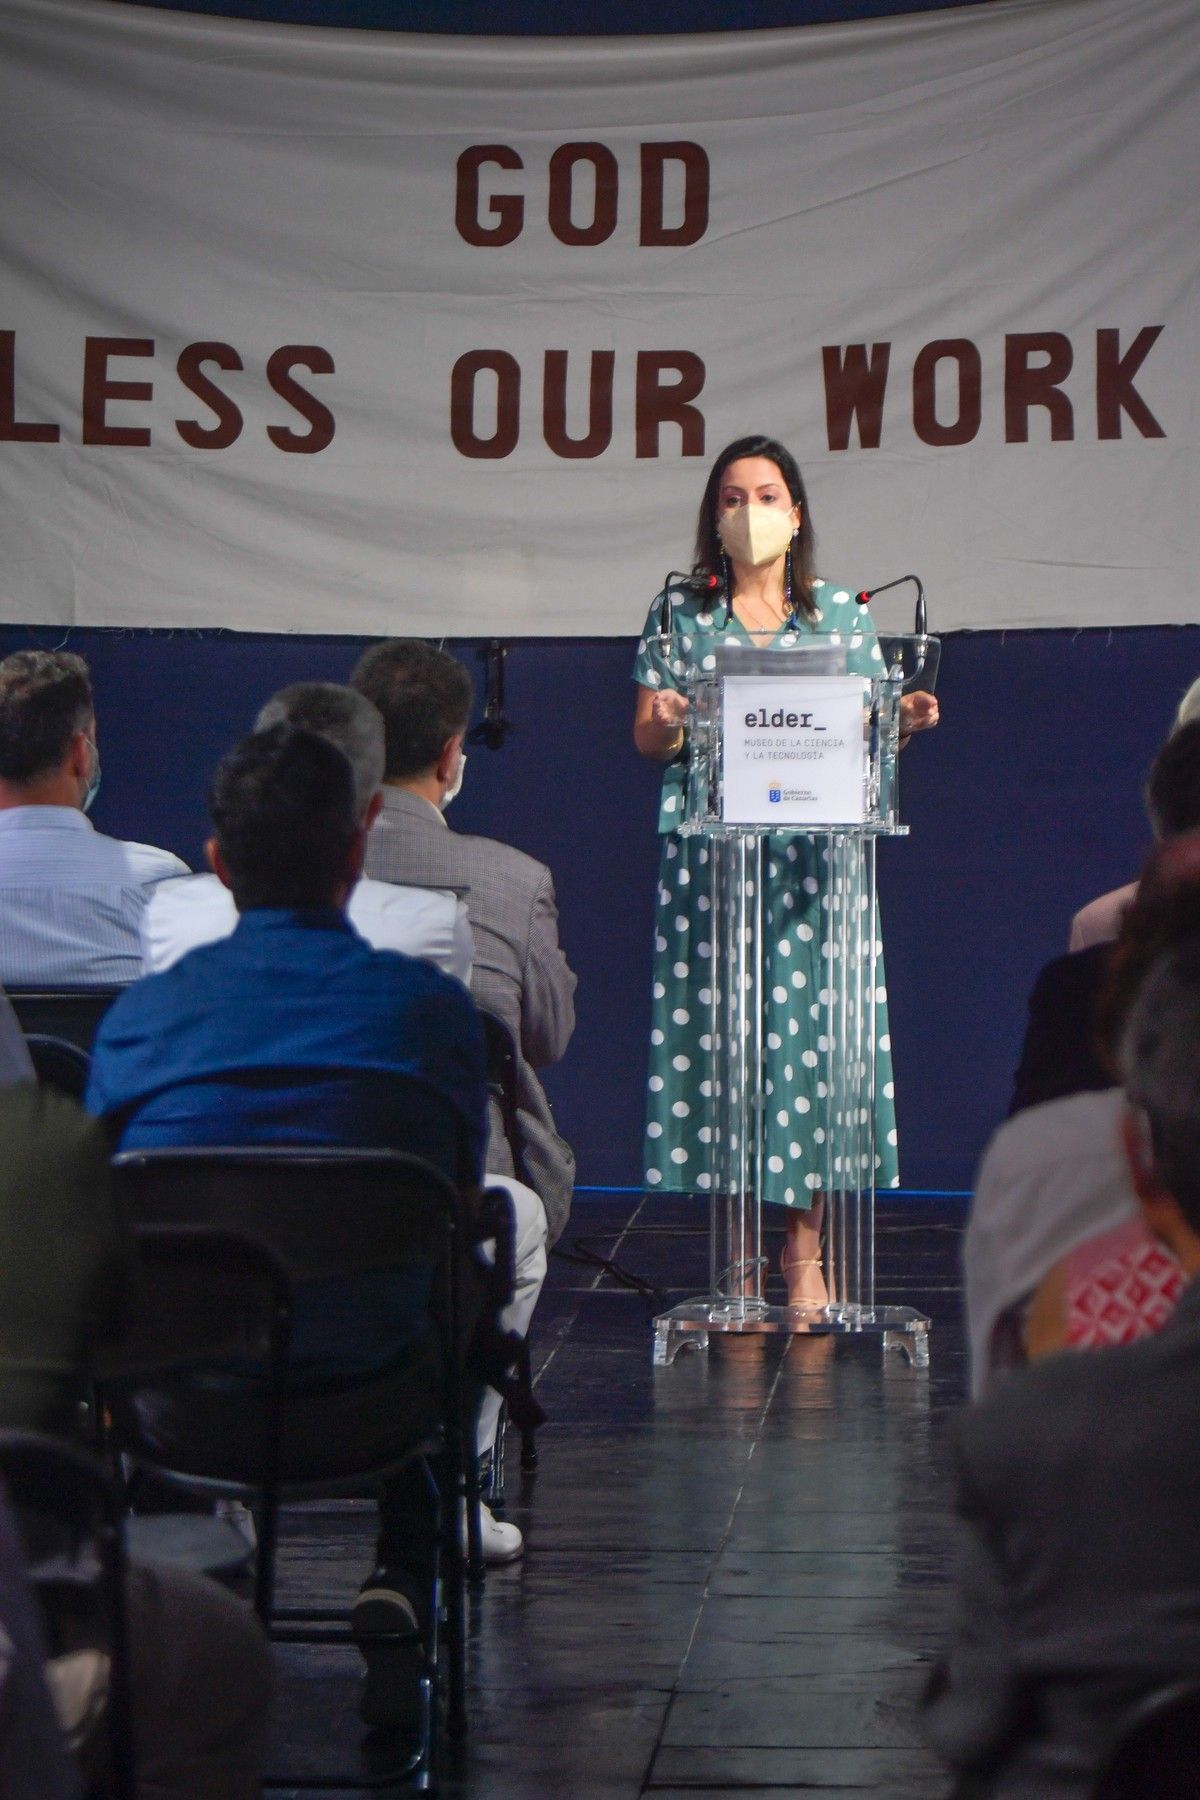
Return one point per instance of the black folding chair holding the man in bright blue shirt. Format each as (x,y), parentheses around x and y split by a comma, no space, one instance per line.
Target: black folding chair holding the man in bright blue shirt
(319,1214)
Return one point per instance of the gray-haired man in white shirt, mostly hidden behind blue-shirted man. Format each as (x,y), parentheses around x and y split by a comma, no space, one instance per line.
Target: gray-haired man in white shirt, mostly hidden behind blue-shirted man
(424,922)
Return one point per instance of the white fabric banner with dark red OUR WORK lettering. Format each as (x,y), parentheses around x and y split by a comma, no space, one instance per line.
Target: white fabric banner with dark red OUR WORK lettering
(357,332)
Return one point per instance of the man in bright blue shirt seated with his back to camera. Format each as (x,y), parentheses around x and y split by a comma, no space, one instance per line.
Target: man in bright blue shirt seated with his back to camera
(294,1030)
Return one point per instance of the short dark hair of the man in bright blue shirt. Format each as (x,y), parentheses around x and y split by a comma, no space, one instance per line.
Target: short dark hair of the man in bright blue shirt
(285,816)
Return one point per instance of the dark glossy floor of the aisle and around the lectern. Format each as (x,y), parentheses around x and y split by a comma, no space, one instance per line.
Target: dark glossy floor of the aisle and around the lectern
(737,1565)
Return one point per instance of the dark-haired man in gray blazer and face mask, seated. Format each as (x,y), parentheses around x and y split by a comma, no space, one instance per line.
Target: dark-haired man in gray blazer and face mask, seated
(519,969)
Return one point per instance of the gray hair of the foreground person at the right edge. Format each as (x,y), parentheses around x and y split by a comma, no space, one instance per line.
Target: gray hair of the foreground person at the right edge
(1160,1059)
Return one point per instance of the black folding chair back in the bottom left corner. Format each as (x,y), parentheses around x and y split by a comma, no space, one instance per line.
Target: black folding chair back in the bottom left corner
(71,1513)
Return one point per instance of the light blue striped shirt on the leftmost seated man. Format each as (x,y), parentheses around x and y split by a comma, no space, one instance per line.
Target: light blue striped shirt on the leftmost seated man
(71,899)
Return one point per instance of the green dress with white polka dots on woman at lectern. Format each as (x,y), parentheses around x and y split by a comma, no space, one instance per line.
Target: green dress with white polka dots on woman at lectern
(796,910)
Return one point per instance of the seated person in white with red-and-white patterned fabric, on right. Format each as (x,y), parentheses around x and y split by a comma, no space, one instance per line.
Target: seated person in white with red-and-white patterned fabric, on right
(1053,1183)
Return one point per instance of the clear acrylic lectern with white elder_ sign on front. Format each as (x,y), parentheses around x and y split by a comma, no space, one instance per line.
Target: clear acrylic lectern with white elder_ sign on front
(782,739)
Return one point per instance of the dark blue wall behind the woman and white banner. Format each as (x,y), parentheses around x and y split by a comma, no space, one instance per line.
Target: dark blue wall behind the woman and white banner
(1023,805)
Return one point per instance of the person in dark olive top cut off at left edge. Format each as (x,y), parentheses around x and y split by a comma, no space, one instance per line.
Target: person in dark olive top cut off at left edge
(201,1668)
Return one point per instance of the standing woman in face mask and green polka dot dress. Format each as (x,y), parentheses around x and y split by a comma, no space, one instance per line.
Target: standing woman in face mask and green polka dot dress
(753,584)
